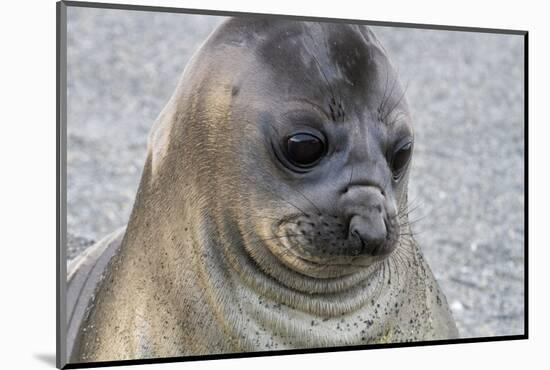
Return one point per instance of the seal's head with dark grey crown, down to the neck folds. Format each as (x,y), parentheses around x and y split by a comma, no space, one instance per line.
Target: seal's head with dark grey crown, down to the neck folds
(296,142)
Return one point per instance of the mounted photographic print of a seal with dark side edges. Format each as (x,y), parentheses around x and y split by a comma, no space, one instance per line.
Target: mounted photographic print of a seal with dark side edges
(245,183)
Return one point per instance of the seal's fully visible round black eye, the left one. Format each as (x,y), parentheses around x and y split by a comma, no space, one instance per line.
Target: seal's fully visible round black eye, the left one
(304,149)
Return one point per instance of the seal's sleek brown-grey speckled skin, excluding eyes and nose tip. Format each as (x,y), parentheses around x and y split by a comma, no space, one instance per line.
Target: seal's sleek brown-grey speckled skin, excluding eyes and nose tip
(228,251)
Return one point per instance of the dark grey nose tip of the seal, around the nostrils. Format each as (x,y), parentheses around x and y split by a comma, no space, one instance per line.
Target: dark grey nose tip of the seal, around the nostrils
(371,232)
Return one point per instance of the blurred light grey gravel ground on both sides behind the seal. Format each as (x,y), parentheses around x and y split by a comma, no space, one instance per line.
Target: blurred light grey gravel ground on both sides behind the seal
(466,94)
